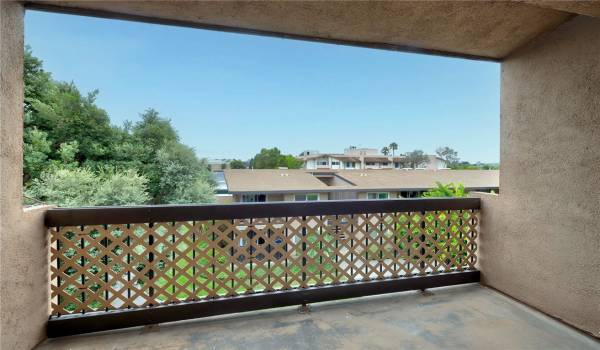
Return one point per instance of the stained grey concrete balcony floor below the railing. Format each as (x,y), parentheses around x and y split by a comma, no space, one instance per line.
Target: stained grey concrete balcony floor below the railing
(460,317)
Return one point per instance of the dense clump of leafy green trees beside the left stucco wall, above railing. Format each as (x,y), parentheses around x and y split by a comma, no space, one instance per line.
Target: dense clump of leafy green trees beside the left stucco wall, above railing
(69,142)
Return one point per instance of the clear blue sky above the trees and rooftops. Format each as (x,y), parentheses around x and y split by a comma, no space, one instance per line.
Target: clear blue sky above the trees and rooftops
(229,95)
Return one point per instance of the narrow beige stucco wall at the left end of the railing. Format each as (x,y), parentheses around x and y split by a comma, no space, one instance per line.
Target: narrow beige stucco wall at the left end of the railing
(23,240)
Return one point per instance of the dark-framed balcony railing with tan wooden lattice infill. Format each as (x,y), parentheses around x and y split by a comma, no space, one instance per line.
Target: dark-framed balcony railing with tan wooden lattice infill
(114,267)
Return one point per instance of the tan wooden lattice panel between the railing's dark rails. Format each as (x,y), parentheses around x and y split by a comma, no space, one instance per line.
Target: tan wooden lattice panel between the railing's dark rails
(111,267)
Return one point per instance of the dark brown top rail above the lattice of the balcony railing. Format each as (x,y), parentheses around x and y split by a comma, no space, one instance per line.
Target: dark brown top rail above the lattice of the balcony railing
(170,213)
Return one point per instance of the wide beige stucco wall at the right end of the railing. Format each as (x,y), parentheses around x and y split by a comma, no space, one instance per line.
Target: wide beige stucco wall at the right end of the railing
(540,239)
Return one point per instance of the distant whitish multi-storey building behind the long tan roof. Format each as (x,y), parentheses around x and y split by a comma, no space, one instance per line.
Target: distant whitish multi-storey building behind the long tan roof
(362,158)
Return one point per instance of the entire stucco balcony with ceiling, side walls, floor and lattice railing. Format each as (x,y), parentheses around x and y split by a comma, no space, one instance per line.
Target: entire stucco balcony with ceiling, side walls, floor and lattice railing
(537,241)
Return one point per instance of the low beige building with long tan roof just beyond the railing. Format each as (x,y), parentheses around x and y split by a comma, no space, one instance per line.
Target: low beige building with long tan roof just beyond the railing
(292,185)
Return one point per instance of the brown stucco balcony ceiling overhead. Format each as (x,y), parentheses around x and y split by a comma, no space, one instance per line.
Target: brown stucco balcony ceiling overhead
(488,30)
